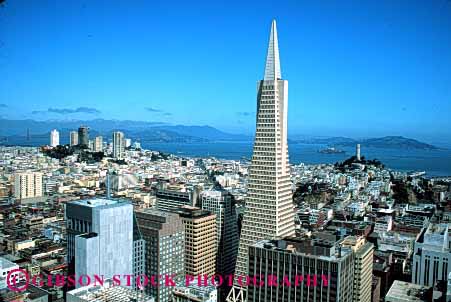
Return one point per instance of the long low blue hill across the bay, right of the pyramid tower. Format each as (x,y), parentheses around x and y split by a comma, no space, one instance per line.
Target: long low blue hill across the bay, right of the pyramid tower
(387,142)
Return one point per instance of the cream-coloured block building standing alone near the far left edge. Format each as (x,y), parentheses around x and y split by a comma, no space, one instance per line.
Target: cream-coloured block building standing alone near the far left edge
(27,185)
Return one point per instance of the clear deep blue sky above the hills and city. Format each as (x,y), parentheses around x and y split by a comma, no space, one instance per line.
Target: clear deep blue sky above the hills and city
(355,68)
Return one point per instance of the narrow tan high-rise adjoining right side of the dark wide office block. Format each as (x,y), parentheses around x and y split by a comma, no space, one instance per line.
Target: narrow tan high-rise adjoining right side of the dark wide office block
(363,268)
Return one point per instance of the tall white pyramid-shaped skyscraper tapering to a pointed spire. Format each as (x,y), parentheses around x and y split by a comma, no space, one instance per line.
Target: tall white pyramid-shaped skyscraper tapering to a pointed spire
(269,202)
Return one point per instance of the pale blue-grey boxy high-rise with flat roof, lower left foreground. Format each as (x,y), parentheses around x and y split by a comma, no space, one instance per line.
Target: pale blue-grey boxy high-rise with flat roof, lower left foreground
(99,237)
